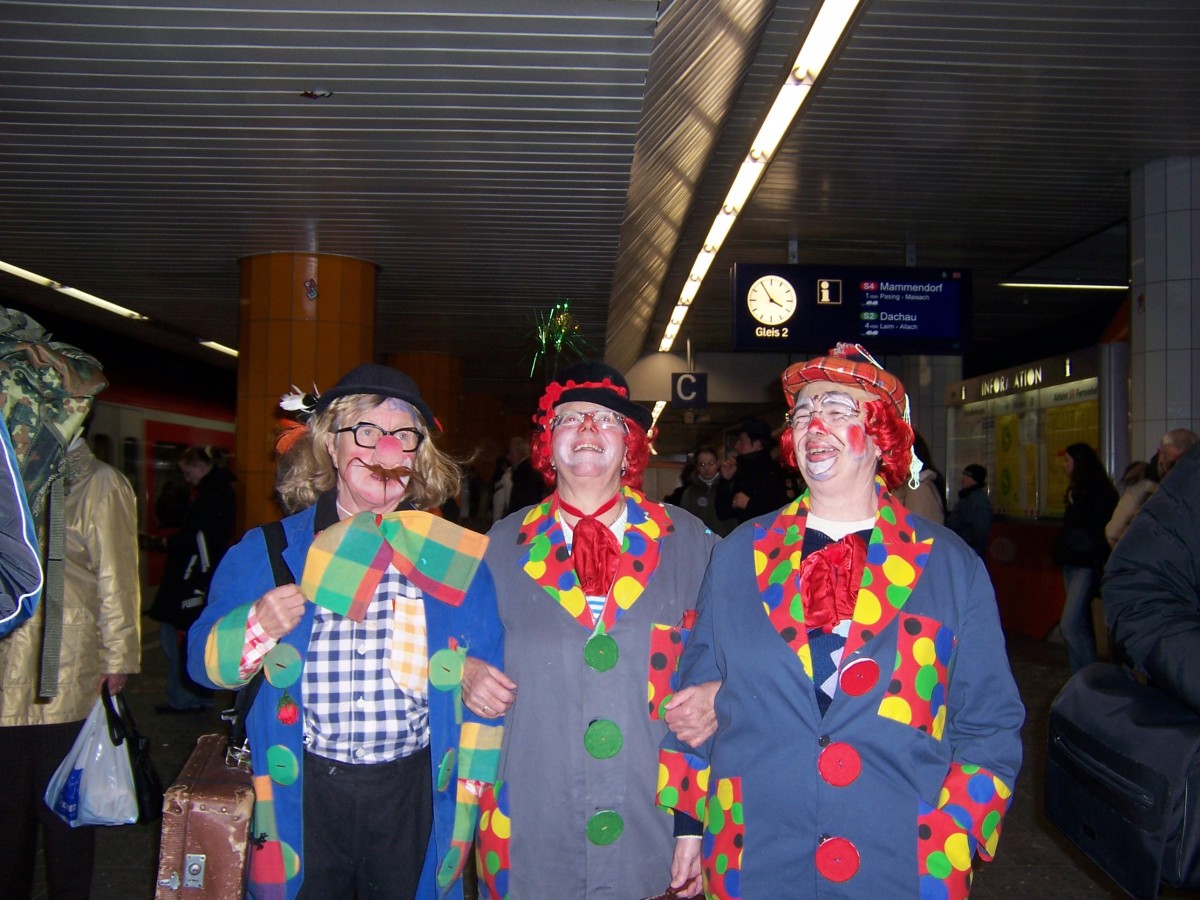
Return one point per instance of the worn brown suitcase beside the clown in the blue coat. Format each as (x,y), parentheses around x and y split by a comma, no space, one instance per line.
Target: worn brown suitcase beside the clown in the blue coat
(206,827)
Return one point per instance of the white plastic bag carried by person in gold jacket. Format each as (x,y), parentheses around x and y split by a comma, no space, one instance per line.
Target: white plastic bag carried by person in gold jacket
(94,785)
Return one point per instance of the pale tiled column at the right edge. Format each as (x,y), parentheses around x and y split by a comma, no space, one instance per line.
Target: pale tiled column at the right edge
(1165,329)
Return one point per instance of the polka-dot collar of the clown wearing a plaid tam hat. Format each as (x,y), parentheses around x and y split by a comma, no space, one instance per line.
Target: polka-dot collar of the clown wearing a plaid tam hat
(896,561)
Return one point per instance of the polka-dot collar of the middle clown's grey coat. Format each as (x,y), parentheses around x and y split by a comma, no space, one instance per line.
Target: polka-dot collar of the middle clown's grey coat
(548,561)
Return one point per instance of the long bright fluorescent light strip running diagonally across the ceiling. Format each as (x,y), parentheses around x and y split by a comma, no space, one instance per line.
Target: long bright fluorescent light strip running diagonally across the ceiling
(827,31)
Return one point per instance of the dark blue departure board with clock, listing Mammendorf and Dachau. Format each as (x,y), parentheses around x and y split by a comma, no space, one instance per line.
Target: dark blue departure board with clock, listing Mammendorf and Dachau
(800,309)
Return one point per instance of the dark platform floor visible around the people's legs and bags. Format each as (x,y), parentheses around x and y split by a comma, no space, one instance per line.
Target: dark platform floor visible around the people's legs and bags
(1034,860)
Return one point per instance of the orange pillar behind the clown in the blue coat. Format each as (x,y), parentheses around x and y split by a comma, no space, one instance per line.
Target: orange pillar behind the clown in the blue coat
(307,320)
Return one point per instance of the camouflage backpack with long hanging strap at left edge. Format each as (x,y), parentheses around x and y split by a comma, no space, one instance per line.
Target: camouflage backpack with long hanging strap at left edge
(47,389)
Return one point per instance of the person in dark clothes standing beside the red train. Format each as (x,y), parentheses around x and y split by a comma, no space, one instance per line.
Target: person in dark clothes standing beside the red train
(193,555)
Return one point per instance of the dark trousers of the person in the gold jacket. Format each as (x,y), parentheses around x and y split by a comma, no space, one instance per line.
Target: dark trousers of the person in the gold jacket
(29,755)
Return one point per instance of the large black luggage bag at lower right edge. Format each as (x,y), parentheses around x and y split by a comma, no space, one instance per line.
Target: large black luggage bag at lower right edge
(1124,779)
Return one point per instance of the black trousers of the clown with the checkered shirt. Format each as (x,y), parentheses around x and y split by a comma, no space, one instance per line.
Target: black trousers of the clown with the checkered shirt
(367,829)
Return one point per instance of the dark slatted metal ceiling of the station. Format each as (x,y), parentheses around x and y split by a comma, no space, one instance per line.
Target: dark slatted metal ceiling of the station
(496,159)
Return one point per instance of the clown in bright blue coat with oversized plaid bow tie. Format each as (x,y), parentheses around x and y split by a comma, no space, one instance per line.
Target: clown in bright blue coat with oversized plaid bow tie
(368,769)
